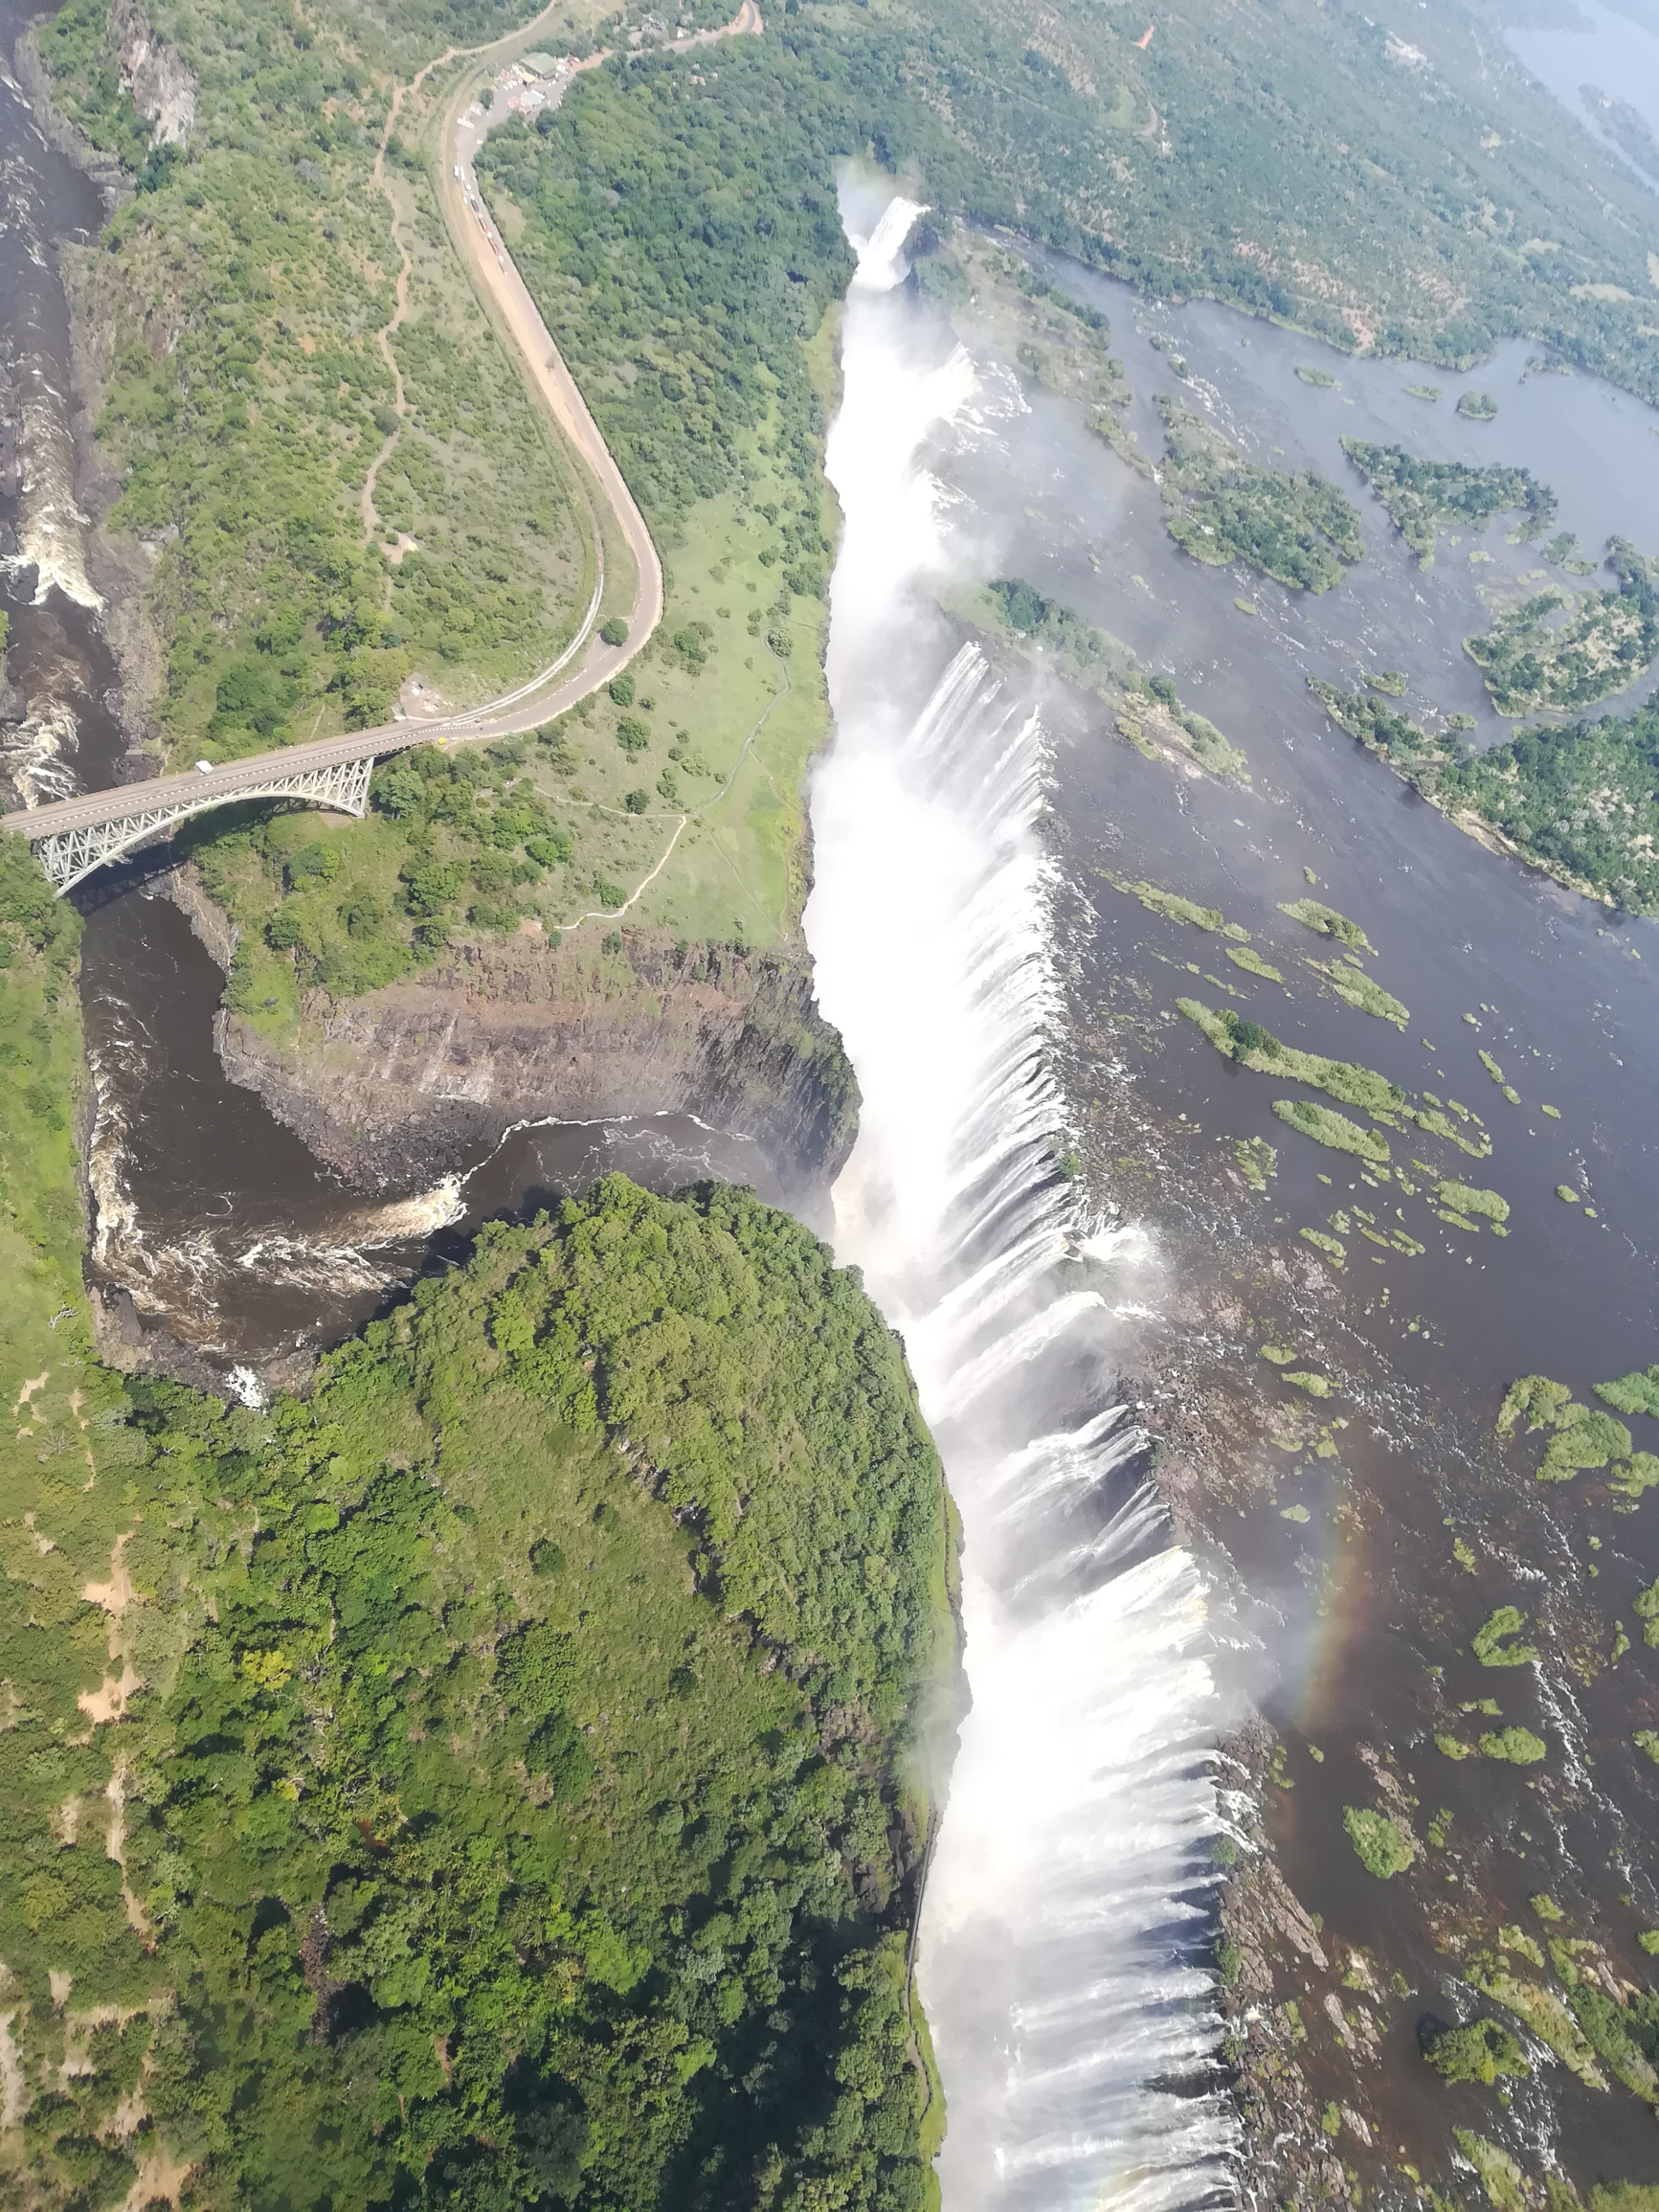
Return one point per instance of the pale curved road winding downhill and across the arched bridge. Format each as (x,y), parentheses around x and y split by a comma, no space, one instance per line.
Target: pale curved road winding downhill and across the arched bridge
(552,691)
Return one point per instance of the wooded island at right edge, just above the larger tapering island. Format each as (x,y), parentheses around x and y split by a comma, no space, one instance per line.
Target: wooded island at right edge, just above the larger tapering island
(1561,649)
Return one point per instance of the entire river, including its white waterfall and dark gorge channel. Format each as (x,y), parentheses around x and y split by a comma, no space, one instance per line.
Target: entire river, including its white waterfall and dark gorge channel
(1331,1556)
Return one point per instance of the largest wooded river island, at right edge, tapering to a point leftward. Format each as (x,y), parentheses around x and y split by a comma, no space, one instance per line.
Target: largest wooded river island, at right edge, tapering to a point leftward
(1574,800)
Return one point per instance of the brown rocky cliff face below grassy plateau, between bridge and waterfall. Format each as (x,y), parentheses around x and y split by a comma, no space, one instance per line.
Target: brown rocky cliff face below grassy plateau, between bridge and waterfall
(395,1085)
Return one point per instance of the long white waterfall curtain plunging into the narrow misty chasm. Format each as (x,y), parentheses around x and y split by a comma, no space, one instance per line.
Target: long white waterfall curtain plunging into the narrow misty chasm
(1067,1906)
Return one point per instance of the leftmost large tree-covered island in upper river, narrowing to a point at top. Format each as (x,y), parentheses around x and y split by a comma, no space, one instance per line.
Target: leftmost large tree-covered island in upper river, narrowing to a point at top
(1220,508)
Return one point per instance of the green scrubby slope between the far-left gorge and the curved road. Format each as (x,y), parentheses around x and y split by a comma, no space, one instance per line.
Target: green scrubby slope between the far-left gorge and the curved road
(236,311)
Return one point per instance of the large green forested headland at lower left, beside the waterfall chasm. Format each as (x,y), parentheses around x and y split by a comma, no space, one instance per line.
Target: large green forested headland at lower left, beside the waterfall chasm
(494,1780)
